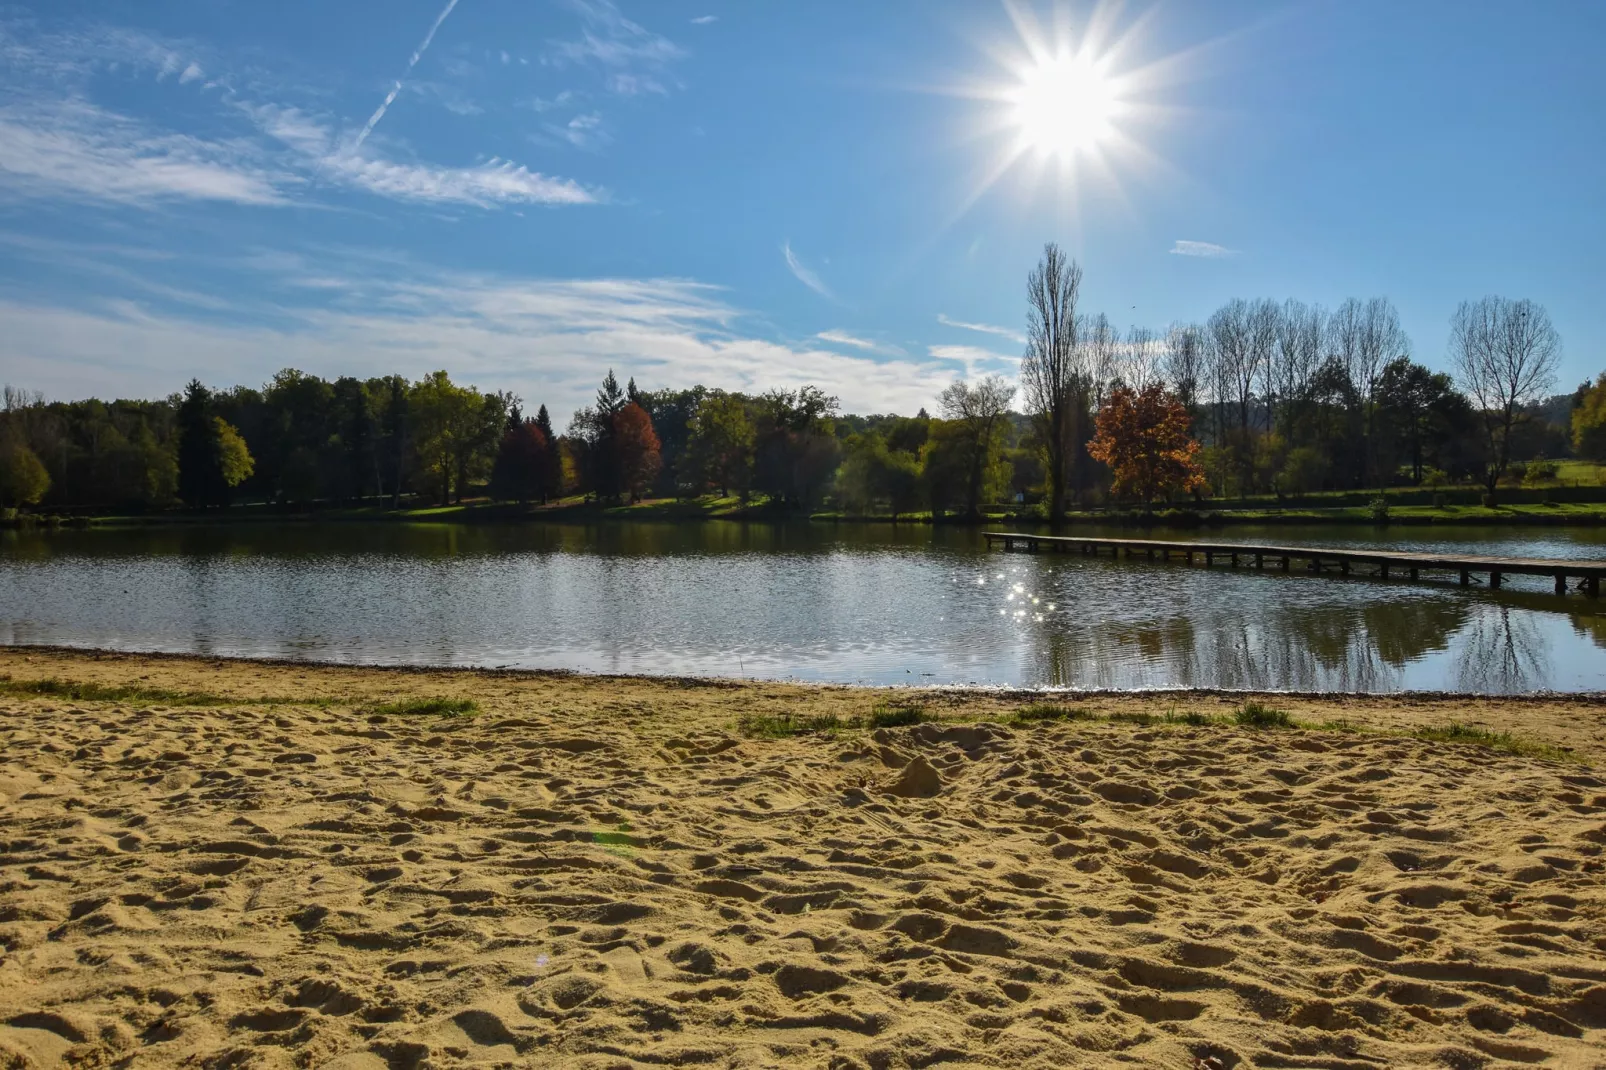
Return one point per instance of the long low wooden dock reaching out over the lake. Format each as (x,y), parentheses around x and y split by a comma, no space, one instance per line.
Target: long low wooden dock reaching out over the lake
(1384,563)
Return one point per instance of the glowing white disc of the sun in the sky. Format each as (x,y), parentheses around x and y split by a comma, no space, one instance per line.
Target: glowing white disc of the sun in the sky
(1064,105)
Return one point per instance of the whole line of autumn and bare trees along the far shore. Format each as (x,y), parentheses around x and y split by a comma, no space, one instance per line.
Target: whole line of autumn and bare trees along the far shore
(1262,399)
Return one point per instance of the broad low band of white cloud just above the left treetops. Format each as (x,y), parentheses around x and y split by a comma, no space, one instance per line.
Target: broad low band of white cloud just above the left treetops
(548,340)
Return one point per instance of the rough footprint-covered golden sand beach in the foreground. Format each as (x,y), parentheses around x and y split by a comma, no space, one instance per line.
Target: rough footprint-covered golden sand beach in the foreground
(603,873)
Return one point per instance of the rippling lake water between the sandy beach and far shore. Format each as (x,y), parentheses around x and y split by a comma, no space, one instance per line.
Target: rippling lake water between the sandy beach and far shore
(852,603)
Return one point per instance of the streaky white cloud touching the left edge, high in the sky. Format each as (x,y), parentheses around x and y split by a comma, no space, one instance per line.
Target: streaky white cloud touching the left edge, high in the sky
(76,150)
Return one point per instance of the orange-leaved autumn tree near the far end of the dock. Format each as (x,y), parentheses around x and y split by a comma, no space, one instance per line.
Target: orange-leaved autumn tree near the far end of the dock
(1144,438)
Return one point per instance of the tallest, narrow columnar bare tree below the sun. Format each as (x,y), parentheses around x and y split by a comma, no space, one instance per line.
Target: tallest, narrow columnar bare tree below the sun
(1051,374)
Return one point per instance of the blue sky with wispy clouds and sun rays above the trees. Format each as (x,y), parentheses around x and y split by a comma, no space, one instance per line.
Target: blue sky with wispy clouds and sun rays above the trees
(754,195)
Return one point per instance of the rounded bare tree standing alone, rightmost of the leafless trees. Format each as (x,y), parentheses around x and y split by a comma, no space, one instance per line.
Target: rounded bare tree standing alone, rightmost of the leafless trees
(1506,356)
